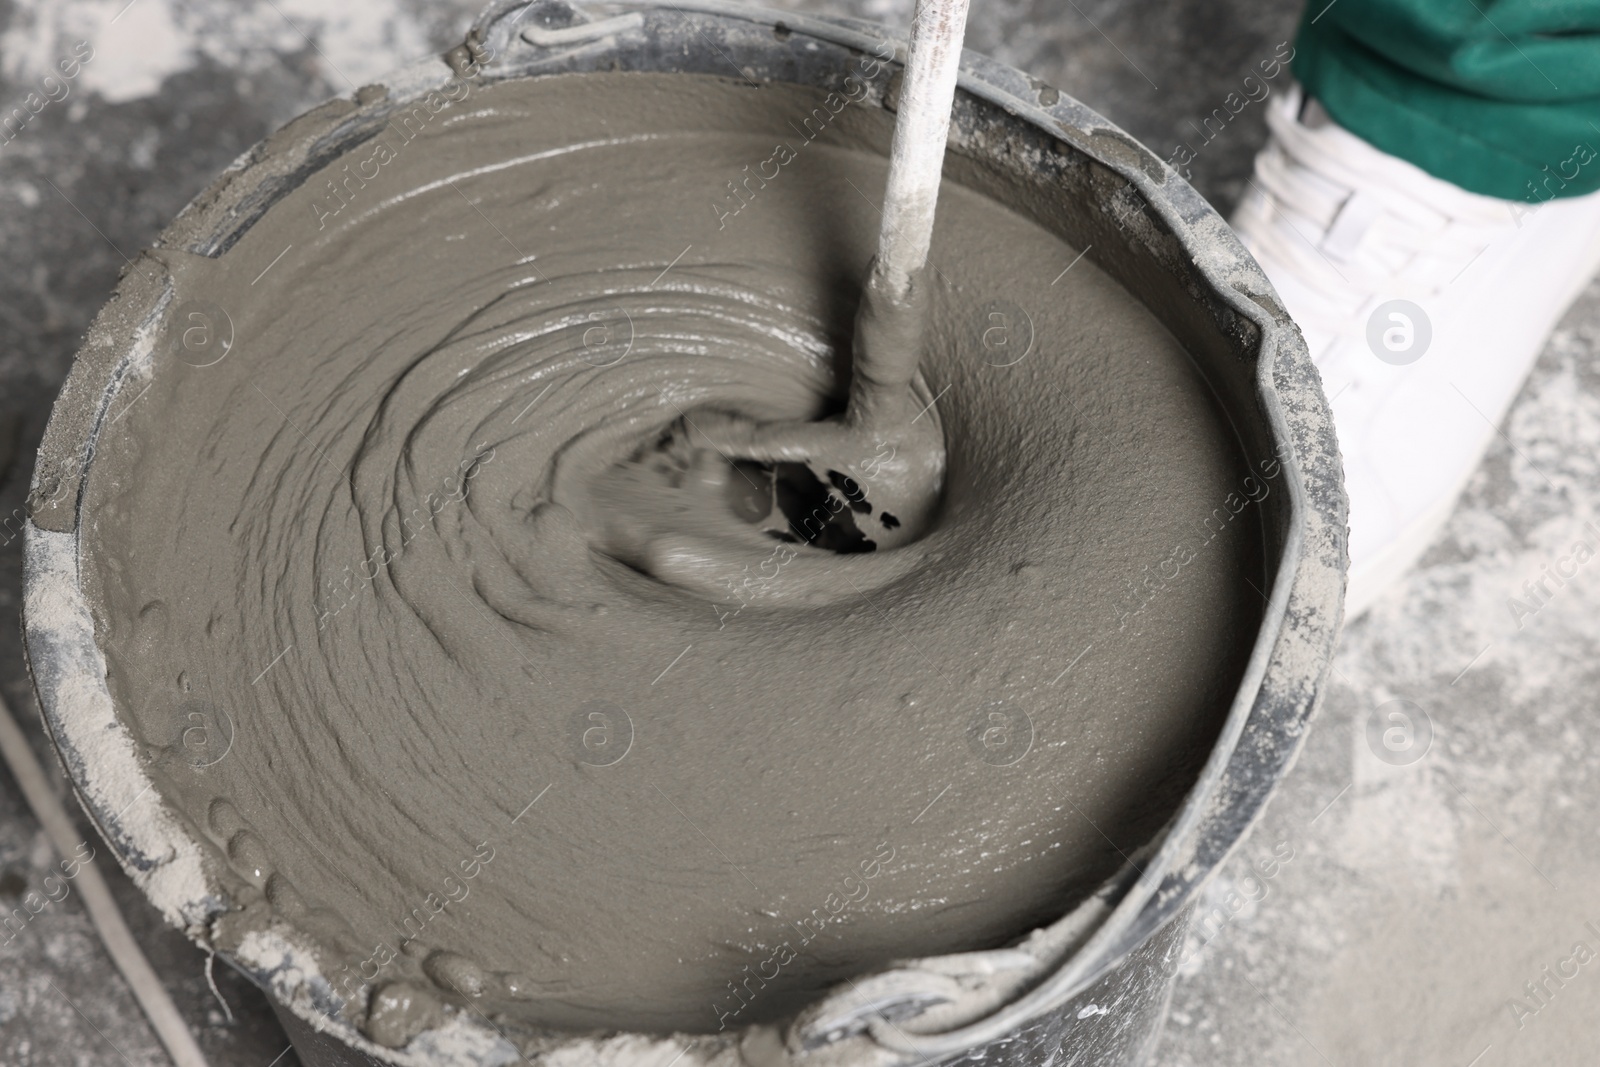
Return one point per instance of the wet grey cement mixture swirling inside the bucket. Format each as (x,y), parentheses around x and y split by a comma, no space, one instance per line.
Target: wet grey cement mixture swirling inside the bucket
(423,543)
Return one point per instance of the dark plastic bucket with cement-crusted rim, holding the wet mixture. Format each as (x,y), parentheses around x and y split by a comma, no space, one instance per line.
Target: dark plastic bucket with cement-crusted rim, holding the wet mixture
(1095,986)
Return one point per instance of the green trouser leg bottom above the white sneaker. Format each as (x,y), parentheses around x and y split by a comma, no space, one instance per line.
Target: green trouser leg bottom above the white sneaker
(1494,126)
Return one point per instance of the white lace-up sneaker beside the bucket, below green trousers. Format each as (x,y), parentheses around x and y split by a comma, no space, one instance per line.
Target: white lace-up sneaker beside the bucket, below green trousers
(1425,308)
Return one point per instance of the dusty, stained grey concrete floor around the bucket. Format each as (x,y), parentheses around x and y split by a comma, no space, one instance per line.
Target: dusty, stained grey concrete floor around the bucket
(1418,900)
